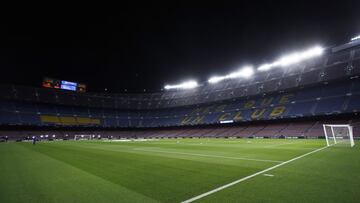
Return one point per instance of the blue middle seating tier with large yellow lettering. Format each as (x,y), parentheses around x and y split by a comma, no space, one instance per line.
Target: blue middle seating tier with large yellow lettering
(323,99)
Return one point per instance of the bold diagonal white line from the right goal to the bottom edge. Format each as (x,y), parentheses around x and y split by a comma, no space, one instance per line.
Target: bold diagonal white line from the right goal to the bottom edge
(250,176)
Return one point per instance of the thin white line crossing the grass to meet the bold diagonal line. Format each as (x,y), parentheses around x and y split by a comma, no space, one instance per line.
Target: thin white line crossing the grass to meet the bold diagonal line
(207,155)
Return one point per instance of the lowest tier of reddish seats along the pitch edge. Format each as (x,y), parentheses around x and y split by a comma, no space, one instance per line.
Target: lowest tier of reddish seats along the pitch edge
(298,129)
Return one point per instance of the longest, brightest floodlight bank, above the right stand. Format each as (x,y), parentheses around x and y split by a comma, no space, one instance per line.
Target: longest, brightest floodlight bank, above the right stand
(293,58)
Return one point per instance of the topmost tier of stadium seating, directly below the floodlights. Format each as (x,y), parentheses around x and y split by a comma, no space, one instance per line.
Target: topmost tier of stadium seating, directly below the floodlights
(332,66)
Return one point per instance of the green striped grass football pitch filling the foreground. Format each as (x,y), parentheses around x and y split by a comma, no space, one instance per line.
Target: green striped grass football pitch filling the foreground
(173,170)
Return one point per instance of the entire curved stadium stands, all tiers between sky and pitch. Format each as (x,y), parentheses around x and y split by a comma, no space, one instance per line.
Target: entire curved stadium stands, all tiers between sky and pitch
(291,101)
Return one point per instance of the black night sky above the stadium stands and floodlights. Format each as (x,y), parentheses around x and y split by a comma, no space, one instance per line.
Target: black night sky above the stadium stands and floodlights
(138,47)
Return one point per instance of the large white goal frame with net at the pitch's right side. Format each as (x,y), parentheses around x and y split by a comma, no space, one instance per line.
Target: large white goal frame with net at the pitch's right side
(339,135)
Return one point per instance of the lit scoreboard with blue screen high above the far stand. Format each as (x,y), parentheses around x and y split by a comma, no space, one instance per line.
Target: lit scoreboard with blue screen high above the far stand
(64,85)
